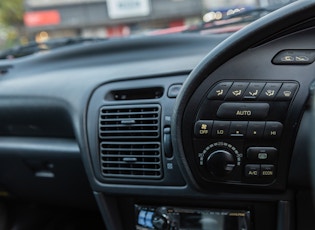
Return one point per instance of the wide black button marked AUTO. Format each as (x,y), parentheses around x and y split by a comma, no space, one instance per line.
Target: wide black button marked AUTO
(243,111)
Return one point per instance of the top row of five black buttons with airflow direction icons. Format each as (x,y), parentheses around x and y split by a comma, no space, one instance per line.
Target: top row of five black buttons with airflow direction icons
(253,91)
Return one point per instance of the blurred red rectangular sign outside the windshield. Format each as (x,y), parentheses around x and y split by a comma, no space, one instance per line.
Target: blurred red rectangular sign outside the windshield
(42,18)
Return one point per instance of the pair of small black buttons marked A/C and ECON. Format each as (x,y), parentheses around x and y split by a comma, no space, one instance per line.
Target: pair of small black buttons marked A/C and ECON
(257,170)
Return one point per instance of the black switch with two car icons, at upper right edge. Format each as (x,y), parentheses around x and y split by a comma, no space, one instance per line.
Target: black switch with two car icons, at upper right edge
(294,57)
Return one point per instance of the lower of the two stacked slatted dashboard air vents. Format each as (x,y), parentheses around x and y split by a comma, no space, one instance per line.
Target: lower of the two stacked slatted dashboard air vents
(133,160)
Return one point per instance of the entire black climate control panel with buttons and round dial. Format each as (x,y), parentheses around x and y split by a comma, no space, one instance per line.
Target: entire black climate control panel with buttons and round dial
(238,129)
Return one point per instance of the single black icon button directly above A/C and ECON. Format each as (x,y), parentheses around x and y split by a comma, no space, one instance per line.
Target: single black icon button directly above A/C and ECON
(262,153)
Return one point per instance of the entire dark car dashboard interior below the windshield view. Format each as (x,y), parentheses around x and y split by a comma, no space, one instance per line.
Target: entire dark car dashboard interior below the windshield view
(176,131)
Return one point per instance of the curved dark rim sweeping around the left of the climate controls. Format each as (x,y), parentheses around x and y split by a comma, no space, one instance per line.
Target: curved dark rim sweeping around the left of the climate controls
(252,35)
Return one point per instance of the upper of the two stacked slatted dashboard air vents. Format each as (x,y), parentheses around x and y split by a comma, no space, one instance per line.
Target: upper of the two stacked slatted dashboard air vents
(140,122)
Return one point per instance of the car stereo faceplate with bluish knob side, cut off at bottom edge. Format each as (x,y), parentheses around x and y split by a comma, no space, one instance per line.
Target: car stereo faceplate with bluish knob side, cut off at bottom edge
(176,218)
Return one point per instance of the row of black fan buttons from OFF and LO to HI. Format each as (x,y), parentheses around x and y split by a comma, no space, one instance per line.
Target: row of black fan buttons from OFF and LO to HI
(250,129)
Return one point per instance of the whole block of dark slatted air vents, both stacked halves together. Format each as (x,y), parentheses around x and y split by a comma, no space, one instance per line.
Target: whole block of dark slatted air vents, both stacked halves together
(130,141)
